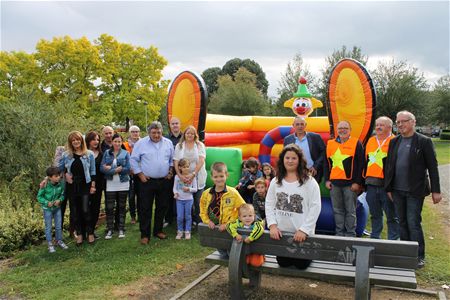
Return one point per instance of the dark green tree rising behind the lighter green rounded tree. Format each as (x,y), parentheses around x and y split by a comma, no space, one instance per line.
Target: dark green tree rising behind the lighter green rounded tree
(232,66)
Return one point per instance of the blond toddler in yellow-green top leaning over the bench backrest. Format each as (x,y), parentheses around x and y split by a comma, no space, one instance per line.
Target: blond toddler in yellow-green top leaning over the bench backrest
(247,219)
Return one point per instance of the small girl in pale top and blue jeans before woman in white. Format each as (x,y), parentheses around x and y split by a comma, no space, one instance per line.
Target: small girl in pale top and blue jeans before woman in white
(183,193)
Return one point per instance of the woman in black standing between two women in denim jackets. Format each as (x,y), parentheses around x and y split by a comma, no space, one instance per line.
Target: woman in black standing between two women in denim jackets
(93,143)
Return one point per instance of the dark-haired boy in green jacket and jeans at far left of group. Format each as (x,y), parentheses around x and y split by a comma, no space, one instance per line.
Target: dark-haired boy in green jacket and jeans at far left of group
(50,197)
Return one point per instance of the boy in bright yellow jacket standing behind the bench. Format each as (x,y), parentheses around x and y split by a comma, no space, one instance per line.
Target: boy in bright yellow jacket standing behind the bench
(219,204)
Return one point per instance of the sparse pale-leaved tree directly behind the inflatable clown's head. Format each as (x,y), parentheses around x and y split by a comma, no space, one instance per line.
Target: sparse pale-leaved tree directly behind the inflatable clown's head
(289,83)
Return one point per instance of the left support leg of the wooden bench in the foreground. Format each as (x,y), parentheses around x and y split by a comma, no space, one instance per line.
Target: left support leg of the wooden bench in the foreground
(235,270)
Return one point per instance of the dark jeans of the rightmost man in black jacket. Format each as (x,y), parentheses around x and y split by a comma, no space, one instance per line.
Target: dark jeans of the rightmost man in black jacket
(409,211)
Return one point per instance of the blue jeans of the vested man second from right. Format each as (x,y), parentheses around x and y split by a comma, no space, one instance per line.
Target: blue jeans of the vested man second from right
(378,202)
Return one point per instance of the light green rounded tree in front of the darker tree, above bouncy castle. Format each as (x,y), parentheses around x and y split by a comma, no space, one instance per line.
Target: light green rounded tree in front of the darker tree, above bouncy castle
(238,96)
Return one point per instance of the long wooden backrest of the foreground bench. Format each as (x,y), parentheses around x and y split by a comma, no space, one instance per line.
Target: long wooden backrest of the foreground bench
(386,253)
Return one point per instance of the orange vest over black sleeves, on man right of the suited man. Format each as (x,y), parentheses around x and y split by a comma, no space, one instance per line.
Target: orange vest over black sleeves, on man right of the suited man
(347,148)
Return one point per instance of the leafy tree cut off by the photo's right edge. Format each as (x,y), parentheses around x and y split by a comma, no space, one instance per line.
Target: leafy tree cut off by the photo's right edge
(441,101)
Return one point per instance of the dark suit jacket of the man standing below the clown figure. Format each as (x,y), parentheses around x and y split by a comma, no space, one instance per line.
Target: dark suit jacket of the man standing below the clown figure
(316,148)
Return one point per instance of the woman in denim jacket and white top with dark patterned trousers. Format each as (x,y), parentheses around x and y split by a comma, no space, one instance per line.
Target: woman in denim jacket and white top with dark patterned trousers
(116,167)
